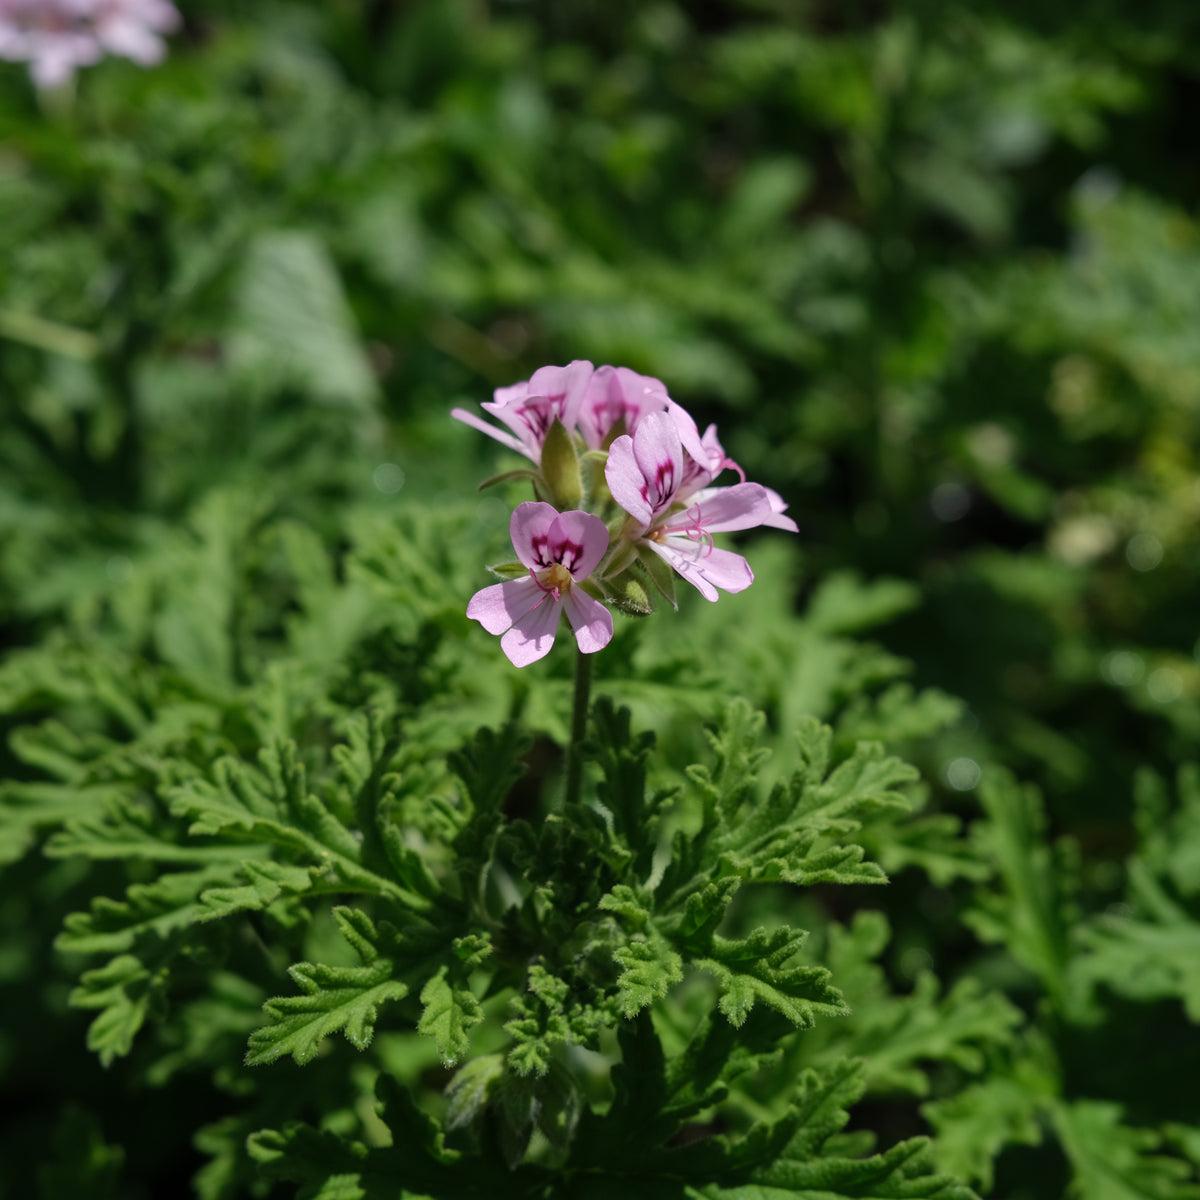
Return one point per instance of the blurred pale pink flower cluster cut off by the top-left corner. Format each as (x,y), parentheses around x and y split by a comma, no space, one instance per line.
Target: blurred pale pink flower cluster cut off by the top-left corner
(58,37)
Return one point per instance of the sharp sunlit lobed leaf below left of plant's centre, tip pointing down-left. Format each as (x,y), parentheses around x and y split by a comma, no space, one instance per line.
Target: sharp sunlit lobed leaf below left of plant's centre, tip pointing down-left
(335,999)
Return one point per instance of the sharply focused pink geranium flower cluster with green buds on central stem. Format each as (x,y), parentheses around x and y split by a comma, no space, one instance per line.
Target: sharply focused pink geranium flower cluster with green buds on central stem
(617,443)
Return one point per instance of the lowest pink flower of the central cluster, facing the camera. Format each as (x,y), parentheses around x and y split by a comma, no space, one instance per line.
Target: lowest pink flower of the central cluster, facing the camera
(560,550)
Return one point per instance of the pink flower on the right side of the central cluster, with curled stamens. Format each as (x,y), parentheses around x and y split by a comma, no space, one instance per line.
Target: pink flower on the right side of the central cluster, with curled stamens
(661,485)
